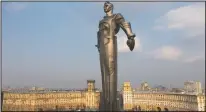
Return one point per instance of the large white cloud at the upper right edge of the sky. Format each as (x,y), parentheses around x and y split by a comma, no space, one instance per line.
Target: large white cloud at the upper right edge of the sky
(189,19)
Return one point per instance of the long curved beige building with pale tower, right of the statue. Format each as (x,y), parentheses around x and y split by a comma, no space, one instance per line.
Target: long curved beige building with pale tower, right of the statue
(161,100)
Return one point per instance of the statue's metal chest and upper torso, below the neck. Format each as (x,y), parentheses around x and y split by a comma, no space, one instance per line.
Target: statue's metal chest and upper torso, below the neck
(108,26)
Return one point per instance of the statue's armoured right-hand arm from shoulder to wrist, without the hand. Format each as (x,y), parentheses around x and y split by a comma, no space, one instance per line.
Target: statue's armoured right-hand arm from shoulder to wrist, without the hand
(126,26)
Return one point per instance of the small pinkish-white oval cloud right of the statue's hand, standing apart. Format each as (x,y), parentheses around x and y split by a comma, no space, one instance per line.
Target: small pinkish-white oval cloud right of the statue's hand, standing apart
(167,53)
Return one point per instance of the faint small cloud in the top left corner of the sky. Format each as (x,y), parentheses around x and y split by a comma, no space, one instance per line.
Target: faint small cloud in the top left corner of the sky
(15,6)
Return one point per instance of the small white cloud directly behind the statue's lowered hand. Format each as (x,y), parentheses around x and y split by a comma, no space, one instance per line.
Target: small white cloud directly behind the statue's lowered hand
(122,46)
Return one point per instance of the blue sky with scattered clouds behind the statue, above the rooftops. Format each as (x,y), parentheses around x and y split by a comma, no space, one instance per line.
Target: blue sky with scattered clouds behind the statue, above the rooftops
(51,44)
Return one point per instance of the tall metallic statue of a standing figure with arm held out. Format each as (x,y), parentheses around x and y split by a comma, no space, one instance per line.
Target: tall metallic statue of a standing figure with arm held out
(107,46)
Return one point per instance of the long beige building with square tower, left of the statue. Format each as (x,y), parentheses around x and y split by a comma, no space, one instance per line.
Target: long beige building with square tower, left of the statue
(52,100)
